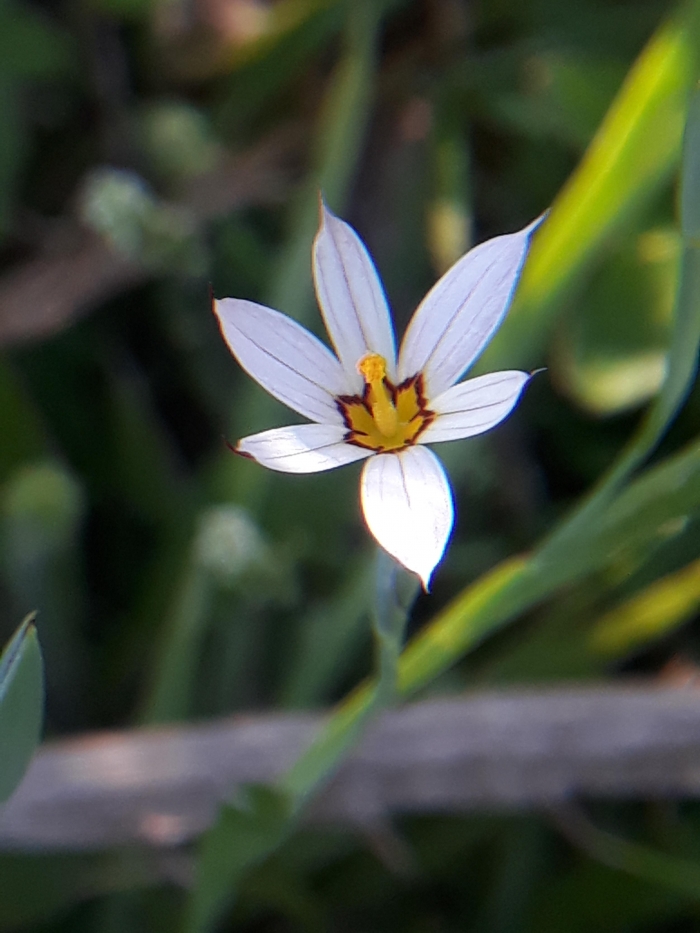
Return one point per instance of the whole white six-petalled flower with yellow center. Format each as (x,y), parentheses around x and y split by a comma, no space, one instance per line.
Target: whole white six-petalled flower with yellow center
(368,404)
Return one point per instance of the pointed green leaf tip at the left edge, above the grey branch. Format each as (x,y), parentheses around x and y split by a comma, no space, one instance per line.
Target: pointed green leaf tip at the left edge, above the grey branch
(21,705)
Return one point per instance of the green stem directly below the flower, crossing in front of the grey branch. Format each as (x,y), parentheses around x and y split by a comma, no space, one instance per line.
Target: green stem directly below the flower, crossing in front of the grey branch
(395,591)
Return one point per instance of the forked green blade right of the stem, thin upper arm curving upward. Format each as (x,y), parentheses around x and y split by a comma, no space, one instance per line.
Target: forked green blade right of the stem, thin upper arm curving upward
(607,518)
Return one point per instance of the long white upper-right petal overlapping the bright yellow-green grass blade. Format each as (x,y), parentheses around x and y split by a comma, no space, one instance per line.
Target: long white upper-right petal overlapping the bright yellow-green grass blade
(458,316)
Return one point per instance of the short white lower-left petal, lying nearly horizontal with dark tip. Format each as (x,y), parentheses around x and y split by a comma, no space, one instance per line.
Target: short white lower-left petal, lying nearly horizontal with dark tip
(301,448)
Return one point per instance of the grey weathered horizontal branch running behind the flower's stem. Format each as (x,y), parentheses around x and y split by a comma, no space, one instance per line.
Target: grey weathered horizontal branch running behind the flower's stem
(513,749)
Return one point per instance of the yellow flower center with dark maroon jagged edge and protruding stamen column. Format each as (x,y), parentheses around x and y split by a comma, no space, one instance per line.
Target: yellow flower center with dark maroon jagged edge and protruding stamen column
(385,417)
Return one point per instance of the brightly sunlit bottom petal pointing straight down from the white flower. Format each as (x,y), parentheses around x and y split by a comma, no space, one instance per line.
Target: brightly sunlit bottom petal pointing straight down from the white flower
(407,503)
